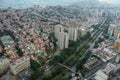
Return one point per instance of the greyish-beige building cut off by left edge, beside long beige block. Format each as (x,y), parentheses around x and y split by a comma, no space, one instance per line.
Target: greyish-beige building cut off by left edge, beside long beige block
(4,63)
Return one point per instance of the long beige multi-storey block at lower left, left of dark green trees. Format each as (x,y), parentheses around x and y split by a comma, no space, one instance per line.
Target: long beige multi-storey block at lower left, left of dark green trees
(20,65)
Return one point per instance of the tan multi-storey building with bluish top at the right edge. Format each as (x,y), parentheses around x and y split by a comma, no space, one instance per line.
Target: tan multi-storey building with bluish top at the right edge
(114,31)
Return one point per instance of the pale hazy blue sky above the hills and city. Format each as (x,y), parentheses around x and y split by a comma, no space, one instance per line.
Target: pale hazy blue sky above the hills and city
(27,3)
